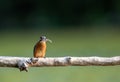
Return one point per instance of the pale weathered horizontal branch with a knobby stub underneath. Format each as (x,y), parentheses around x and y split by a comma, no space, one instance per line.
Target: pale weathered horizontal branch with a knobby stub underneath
(24,62)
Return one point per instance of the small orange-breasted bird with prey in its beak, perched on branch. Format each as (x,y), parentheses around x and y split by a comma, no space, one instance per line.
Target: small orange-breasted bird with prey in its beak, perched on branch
(40,47)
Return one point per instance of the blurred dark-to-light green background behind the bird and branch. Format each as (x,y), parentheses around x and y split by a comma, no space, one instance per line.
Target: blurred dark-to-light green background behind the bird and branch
(76,27)
